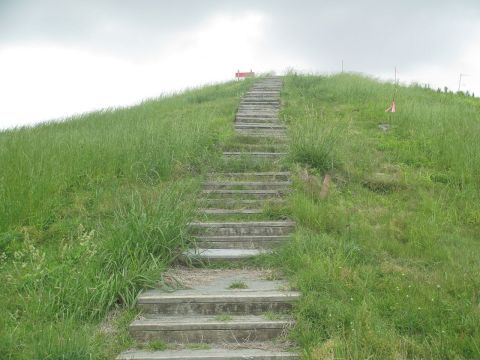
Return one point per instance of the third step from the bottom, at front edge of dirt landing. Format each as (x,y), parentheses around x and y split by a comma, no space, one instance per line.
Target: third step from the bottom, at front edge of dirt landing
(216,301)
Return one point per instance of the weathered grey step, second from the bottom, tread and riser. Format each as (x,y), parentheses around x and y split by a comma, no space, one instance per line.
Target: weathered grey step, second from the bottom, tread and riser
(208,329)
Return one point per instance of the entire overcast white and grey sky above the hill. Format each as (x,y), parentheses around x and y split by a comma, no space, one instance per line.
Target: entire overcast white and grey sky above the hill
(61,57)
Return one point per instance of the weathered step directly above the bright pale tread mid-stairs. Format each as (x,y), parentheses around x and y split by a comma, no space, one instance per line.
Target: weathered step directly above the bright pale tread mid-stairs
(240,242)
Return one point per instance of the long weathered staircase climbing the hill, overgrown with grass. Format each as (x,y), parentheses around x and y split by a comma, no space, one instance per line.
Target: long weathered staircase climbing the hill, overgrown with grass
(234,313)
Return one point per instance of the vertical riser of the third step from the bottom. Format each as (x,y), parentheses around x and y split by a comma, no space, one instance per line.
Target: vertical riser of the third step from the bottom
(234,308)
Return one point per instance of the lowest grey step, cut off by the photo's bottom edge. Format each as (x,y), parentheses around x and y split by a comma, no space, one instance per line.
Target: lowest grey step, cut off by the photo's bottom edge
(210,354)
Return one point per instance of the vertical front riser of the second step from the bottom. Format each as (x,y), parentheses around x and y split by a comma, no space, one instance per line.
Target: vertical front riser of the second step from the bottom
(208,336)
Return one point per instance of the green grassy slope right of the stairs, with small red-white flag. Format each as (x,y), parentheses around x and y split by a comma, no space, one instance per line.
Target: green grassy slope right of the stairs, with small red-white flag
(387,263)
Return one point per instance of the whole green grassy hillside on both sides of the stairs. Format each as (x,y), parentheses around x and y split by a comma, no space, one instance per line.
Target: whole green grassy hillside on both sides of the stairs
(93,209)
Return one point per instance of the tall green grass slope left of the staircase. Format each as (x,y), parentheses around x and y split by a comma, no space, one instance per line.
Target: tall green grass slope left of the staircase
(91,211)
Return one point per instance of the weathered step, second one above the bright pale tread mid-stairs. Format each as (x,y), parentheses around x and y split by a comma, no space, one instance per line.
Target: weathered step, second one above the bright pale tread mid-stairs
(247,228)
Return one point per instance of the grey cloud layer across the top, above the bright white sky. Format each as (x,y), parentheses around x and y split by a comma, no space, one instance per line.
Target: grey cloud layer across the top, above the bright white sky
(368,35)
